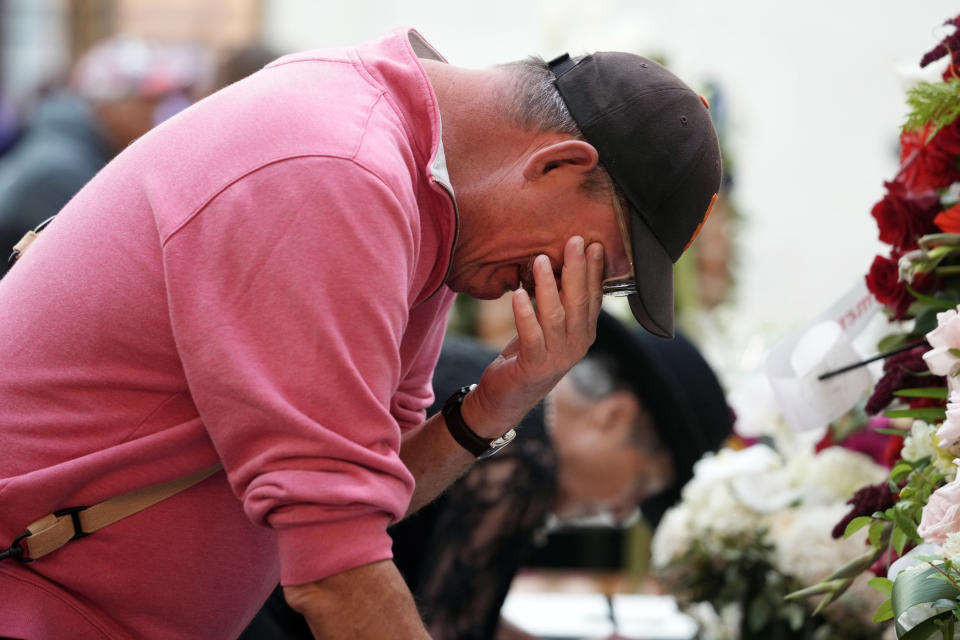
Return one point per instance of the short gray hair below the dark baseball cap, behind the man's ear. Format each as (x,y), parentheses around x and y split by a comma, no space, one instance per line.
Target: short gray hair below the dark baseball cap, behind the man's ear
(536,105)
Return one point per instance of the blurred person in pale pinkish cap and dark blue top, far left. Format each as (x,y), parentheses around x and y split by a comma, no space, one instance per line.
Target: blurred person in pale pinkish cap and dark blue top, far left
(118,90)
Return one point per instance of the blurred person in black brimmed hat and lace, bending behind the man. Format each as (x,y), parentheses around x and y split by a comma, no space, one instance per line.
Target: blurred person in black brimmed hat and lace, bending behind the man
(618,435)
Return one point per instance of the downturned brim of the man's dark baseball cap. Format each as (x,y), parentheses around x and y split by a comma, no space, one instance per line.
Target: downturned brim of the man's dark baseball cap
(652,306)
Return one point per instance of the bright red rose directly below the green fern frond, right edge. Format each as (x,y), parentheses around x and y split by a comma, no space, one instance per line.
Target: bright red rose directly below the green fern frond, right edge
(929,165)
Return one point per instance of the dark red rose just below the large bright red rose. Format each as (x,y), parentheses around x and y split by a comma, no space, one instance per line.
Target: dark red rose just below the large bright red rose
(902,217)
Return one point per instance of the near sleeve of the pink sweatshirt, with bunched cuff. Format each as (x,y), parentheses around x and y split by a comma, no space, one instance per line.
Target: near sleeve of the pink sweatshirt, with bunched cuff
(289,297)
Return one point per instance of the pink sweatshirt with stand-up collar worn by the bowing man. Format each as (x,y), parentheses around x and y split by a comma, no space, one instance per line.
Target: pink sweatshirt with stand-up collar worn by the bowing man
(258,281)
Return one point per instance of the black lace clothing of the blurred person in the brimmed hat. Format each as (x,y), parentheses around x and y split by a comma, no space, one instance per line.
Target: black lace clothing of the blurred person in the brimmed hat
(460,553)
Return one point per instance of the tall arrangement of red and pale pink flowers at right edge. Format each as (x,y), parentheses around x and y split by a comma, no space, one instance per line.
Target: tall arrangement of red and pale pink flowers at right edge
(912,518)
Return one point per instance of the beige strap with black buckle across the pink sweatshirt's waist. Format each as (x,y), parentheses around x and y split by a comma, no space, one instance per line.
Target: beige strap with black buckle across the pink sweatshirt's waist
(52,531)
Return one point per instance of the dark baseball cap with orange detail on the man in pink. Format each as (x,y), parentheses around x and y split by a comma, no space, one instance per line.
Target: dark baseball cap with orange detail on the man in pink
(657,142)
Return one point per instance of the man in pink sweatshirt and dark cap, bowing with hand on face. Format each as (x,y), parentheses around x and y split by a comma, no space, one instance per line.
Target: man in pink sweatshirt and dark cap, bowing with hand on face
(263,281)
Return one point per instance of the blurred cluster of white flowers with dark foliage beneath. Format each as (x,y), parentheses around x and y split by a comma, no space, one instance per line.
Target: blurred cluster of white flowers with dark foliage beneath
(753,525)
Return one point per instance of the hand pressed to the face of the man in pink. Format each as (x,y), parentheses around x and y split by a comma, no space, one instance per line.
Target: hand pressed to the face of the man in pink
(550,339)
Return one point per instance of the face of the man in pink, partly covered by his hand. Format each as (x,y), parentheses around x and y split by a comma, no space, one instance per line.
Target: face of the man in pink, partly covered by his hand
(491,259)
